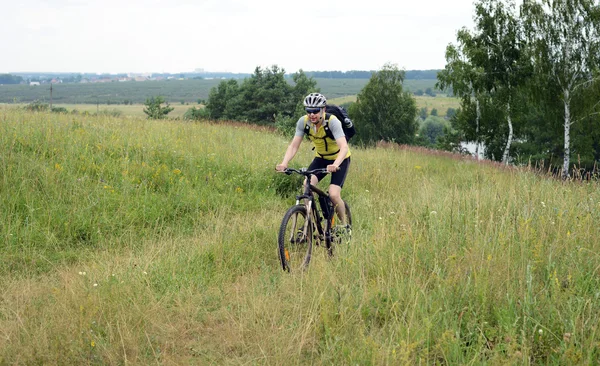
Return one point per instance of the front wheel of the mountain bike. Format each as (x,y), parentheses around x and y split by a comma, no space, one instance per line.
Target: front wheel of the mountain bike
(295,239)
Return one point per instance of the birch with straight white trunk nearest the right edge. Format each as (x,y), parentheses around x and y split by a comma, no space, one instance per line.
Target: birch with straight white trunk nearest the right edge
(565,40)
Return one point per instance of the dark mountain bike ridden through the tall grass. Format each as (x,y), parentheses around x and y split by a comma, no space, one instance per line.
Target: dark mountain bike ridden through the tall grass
(307,223)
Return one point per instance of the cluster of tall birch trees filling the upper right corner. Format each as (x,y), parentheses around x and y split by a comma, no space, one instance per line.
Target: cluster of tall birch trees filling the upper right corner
(529,82)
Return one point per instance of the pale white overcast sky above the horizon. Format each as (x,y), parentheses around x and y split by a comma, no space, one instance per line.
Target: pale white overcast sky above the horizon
(121,36)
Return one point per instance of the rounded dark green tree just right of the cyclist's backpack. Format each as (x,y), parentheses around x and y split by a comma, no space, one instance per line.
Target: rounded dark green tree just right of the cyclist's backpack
(383,111)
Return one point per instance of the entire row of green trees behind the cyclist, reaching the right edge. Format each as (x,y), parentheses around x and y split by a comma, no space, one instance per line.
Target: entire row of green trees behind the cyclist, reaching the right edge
(528,79)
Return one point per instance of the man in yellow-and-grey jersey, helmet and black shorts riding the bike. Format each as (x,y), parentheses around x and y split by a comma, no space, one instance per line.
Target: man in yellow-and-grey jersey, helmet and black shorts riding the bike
(331,154)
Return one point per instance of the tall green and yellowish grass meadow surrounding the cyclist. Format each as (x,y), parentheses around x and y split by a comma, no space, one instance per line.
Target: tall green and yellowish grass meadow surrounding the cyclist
(129,241)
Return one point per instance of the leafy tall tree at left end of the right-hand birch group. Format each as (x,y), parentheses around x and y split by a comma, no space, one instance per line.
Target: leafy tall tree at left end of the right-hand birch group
(484,69)
